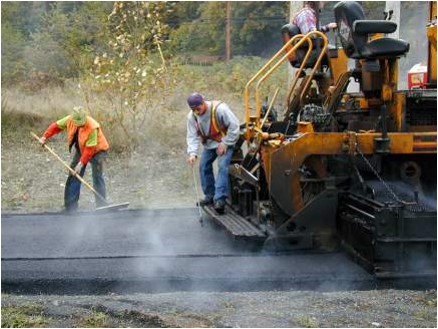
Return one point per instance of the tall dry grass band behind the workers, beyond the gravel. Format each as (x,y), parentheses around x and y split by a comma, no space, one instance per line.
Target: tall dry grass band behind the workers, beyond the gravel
(165,113)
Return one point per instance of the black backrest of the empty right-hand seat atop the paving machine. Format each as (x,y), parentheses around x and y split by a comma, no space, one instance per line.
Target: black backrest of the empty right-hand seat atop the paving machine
(346,13)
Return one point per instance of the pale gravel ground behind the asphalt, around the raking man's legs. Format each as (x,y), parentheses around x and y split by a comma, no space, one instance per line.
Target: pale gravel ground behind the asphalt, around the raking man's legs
(32,180)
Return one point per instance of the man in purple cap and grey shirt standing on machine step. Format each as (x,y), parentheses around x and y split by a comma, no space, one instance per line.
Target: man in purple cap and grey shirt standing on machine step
(214,125)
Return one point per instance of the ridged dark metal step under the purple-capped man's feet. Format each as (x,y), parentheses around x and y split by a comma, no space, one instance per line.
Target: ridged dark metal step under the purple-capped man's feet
(235,224)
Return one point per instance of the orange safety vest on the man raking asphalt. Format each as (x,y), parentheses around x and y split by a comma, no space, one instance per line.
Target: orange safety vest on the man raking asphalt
(84,133)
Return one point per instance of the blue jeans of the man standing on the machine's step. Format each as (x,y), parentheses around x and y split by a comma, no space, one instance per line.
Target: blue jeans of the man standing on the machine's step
(215,188)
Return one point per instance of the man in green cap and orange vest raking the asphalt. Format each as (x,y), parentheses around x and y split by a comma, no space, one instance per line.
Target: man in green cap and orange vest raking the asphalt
(90,145)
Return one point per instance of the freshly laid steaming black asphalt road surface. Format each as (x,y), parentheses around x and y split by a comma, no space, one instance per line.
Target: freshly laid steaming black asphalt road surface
(153,251)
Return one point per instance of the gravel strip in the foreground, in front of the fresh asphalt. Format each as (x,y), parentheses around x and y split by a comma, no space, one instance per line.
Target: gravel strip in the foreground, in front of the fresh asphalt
(377,308)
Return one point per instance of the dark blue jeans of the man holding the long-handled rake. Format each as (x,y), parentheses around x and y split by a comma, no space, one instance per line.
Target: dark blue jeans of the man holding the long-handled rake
(73,185)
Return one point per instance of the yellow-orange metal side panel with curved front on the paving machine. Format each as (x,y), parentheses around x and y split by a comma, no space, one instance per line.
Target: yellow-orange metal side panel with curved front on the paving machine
(285,161)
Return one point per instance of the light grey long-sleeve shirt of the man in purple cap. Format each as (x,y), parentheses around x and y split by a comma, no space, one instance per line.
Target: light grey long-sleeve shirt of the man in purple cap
(225,118)
